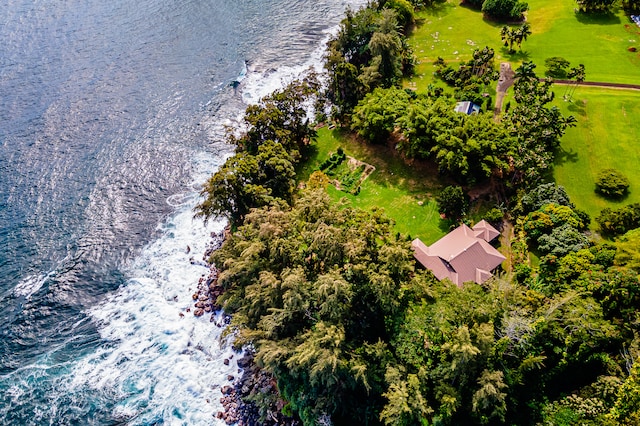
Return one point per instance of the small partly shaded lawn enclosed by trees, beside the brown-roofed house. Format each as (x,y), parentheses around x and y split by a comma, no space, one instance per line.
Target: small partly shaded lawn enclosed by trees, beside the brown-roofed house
(404,192)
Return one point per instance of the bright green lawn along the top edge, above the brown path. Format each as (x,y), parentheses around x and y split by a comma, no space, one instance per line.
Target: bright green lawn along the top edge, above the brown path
(599,41)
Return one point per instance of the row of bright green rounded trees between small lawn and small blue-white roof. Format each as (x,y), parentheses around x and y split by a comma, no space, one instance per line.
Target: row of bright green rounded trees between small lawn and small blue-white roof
(467,147)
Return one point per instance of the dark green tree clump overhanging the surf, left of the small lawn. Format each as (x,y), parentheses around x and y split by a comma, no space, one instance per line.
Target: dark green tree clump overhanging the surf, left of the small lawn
(263,168)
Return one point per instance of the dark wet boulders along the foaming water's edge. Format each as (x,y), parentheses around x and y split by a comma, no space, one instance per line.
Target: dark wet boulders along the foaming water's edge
(251,398)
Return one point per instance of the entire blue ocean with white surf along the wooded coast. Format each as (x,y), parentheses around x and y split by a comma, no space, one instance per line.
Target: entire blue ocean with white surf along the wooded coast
(112,115)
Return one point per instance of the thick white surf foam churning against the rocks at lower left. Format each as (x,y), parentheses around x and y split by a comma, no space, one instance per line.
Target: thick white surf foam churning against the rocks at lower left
(162,366)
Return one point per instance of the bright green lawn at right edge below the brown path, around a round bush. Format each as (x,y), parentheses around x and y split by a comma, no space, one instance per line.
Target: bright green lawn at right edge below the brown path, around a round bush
(607,136)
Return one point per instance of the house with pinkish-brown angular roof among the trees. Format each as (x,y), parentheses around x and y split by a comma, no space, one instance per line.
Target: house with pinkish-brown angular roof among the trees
(462,255)
